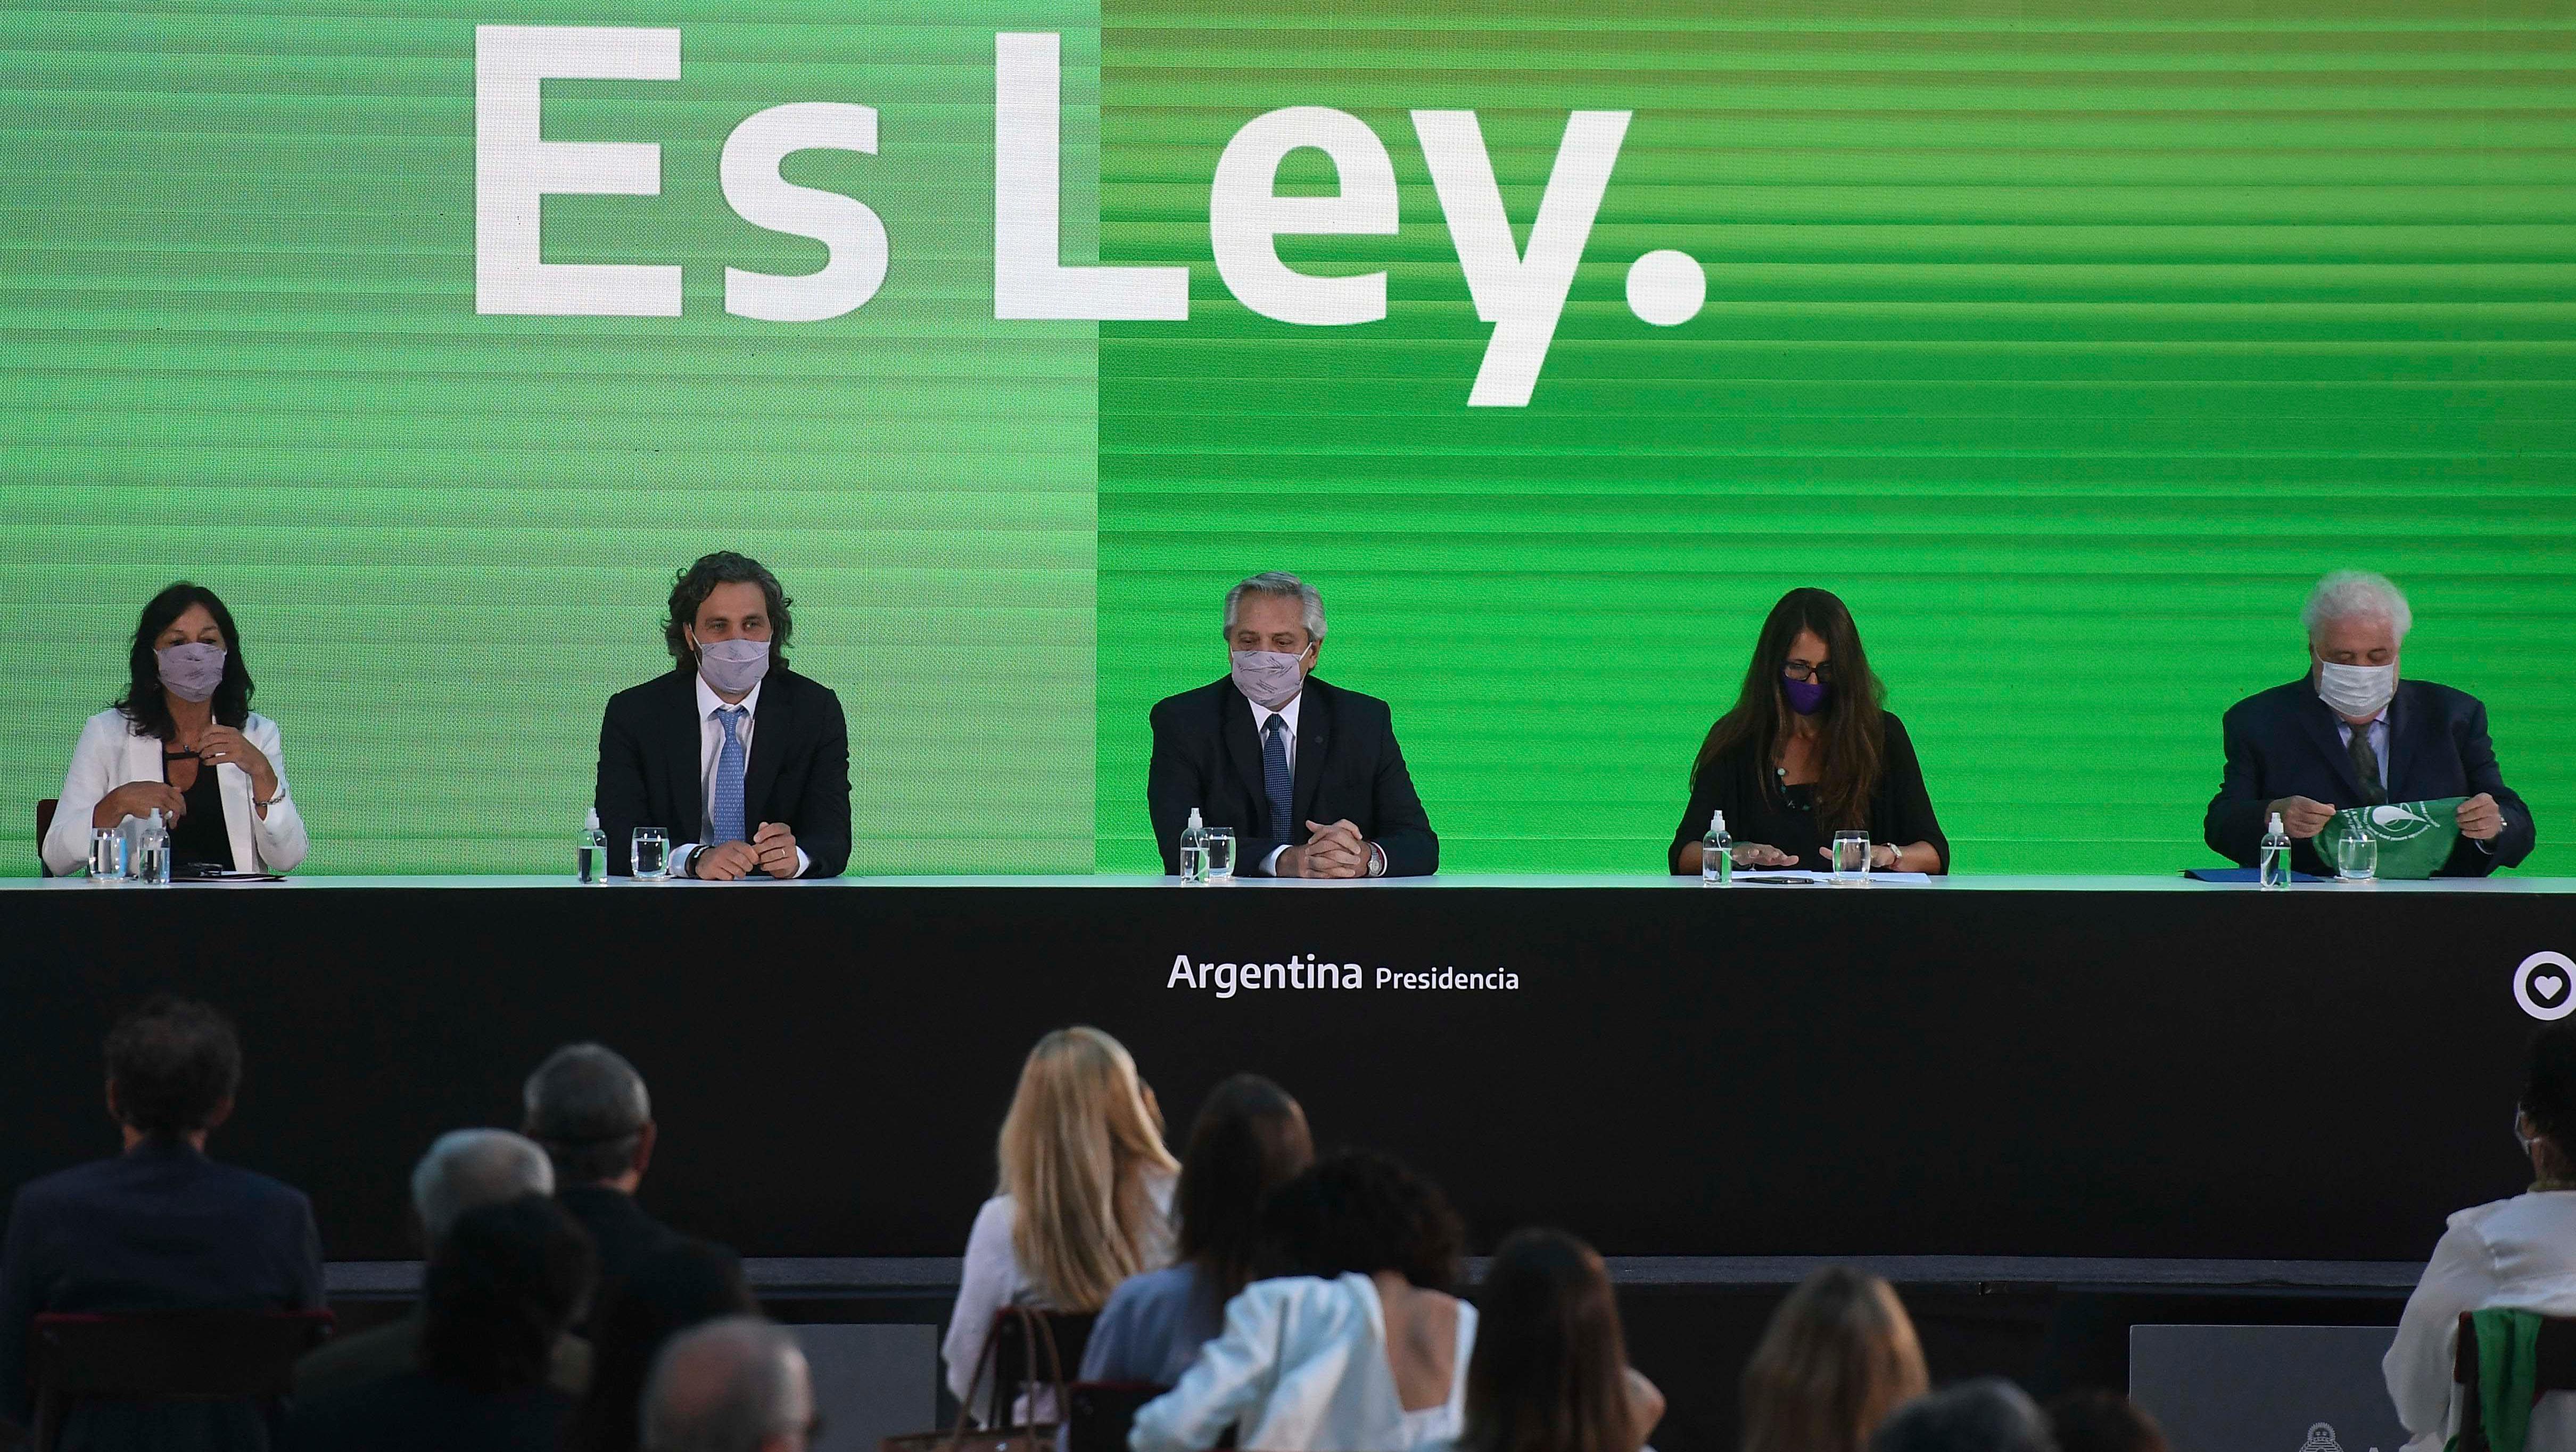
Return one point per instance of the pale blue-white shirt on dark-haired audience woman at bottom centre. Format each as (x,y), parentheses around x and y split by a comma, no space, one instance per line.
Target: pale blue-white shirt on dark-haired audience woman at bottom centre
(1302,1368)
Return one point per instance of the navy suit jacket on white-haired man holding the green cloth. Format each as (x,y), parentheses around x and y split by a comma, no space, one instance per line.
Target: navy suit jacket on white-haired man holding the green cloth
(2284,743)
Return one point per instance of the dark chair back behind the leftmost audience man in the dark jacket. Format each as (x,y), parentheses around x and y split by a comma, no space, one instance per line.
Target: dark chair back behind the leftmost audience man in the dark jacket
(166,1355)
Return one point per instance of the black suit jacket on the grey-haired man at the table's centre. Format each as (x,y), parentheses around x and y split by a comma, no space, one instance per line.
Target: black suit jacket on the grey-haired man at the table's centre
(1349,766)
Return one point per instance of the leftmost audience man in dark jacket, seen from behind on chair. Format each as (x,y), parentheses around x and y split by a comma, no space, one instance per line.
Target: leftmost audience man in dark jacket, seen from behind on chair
(158,1229)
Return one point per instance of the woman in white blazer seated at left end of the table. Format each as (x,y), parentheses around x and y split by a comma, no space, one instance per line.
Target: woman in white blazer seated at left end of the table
(182,743)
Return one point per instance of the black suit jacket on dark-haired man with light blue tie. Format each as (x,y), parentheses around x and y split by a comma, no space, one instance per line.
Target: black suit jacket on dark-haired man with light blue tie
(800,771)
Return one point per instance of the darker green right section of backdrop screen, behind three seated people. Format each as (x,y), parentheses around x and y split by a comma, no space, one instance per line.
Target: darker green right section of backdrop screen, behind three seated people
(2067,341)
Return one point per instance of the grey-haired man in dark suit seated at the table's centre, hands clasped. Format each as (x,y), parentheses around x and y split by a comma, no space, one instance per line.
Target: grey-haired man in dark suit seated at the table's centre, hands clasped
(1305,774)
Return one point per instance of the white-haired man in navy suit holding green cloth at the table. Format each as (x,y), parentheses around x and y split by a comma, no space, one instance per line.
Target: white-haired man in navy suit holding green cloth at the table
(2353,735)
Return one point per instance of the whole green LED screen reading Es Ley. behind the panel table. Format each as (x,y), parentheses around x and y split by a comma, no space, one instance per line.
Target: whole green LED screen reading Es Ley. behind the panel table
(2070,344)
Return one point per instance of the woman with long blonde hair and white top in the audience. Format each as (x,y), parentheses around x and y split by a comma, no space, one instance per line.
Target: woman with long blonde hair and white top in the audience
(1086,1193)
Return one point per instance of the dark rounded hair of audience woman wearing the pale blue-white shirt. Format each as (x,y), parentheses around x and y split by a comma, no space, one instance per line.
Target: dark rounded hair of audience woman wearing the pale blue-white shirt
(1361,1211)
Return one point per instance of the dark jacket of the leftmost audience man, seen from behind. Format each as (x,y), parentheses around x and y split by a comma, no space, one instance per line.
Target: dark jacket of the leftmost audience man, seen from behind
(153,1229)
